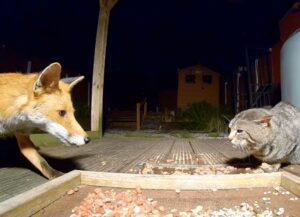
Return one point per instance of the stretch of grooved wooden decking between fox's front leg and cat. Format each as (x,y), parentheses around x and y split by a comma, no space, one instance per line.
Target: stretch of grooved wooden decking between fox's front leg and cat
(125,155)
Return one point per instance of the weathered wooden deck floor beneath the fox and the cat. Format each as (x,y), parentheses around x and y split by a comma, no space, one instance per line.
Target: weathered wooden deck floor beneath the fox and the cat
(124,155)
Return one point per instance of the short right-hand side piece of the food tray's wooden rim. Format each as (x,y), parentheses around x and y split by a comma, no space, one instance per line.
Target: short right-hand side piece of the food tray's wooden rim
(291,183)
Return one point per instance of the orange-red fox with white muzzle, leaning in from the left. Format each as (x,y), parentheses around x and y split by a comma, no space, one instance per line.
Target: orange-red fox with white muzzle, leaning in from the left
(42,101)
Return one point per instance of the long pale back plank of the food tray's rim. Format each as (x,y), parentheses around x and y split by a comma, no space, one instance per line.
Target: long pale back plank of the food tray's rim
(183,182)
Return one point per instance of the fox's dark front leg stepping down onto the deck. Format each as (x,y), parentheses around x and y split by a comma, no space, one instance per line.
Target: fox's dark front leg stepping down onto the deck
(29,151)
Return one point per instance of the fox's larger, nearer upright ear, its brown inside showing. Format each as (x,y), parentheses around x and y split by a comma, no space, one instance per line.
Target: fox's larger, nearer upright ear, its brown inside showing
(49,78)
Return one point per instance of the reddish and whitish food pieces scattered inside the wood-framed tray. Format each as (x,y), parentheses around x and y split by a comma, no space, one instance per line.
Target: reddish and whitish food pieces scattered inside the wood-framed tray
(133,203)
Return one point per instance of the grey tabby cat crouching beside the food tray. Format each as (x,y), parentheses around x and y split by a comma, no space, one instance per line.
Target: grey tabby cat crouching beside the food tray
(270,135)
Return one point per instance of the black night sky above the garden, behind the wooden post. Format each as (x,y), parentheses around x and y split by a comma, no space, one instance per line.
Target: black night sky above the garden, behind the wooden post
(148,40)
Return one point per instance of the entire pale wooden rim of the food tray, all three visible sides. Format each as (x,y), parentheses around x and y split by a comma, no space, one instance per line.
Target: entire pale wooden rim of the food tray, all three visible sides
(34,200)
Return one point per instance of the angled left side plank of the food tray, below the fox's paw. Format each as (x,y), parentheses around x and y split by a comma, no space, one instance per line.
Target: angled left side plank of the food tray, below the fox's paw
(31,201)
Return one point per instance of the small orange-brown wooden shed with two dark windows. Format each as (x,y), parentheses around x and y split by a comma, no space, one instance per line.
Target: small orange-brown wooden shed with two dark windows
(198,83)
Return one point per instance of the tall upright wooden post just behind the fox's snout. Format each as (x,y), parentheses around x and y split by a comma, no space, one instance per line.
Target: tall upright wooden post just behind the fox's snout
(99,65)
